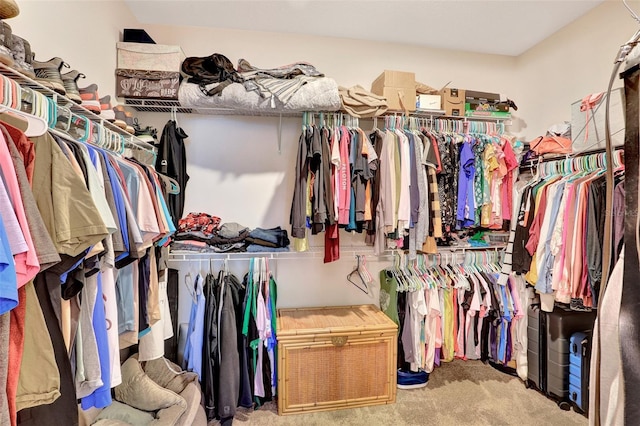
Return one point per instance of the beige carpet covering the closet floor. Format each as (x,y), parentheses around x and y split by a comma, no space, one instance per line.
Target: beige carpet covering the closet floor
(459,393)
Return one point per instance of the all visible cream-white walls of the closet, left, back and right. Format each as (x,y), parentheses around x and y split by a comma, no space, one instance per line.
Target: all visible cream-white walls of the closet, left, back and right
(236,170)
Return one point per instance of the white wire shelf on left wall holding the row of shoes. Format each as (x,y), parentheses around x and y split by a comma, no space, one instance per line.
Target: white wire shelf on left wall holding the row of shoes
(63,101)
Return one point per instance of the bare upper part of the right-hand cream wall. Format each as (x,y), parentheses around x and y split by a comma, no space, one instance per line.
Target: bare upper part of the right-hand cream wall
(572,63)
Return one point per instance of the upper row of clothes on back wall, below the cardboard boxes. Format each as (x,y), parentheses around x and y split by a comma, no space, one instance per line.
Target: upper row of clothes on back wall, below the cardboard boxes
(409,186)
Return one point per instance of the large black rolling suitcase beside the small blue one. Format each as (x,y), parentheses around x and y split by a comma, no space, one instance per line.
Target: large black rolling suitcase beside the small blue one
(549,335)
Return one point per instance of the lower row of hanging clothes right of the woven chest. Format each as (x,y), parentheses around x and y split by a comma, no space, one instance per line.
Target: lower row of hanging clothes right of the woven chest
(453,310)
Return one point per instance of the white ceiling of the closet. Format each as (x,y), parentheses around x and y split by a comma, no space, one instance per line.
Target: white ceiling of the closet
(506,27)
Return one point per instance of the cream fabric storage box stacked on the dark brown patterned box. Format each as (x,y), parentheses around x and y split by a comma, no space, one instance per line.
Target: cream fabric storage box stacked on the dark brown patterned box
(149,57)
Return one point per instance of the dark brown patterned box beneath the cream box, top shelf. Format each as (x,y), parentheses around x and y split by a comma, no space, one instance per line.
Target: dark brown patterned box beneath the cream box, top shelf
(142,84)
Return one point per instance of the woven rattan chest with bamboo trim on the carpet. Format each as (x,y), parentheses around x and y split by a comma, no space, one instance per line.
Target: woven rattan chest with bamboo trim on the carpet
(335,357)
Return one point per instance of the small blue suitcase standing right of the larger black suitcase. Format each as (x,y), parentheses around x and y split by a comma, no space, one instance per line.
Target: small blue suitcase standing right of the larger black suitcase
(579,368)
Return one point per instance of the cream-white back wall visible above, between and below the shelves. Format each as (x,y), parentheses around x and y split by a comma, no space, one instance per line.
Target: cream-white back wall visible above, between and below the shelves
(236,170)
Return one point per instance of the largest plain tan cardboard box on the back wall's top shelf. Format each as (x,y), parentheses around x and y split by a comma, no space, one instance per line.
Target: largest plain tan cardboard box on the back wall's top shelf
(398,87)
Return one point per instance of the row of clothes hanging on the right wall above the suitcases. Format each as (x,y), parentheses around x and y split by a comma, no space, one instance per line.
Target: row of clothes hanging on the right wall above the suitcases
(558,239)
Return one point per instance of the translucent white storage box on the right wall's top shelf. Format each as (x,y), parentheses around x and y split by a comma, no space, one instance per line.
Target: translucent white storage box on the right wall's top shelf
(587,130)
